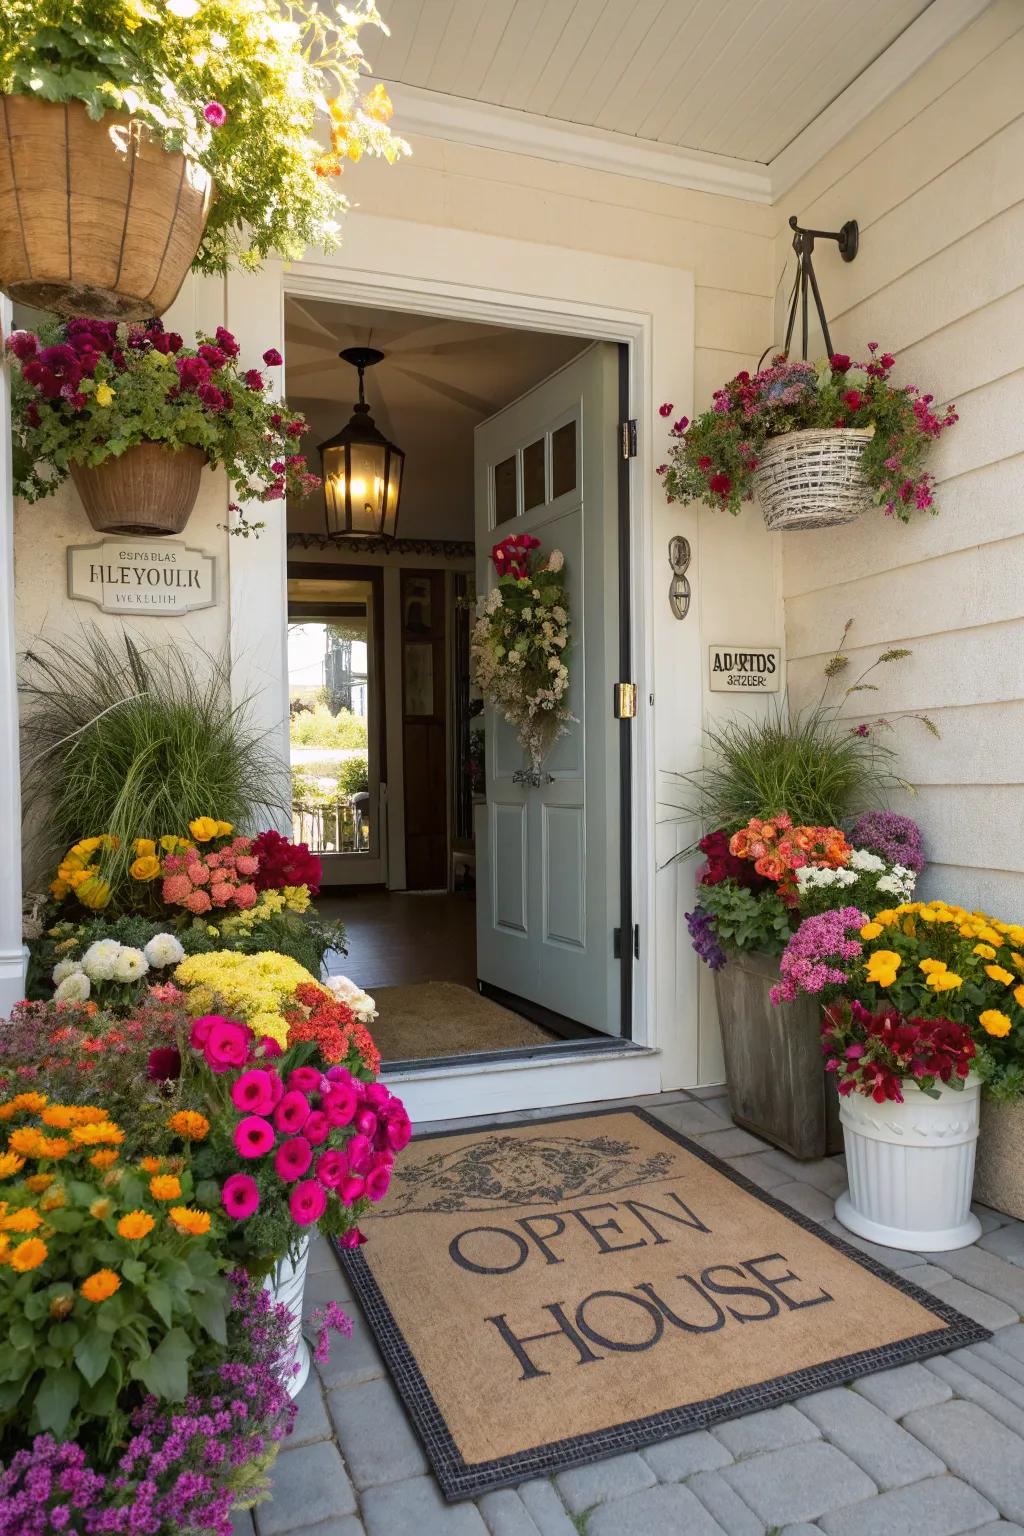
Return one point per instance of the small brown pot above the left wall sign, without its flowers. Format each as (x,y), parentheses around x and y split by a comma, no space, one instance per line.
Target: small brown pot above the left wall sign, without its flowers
(148,489)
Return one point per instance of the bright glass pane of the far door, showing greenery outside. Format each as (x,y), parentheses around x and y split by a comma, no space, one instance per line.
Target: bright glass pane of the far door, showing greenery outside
(329,707)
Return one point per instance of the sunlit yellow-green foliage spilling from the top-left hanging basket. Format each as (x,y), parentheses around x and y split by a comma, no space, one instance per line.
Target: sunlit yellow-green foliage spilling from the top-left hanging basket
(268,65)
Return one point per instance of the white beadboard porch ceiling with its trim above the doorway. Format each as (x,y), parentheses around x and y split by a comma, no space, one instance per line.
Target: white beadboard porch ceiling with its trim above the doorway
(719,94)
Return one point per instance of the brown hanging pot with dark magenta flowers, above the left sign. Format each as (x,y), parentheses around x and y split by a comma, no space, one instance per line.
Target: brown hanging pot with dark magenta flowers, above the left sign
(134,415)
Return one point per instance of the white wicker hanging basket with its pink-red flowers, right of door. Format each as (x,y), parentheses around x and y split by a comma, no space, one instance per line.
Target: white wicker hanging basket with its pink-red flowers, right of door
(818,443)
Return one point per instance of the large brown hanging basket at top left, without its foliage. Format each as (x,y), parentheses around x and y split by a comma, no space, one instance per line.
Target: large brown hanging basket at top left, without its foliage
(96,217)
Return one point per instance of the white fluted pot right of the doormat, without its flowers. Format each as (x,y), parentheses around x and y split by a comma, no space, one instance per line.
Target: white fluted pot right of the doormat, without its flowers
(911,1168)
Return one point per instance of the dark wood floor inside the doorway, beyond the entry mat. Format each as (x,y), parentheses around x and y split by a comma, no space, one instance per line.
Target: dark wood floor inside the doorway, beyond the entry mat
(397,938)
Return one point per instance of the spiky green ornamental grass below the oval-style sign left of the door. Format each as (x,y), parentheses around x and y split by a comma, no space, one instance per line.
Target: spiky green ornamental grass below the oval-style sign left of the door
(136,743)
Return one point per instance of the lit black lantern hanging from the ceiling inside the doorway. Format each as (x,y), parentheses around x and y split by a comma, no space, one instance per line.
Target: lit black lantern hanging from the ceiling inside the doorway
(363,472)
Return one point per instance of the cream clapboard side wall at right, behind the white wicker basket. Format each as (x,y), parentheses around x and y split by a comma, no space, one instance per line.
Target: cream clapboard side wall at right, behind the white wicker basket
(936,180)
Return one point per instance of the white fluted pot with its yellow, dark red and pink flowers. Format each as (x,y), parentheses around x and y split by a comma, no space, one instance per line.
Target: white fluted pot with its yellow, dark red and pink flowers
(916,996)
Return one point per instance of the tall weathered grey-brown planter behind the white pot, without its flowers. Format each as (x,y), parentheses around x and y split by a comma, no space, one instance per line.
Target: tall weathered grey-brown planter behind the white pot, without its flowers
(773,1061)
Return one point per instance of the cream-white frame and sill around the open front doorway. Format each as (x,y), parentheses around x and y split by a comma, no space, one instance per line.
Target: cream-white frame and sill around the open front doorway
(434,271)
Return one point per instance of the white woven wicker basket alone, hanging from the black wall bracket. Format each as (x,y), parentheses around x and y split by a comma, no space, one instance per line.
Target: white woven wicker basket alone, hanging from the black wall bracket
(813,480)
